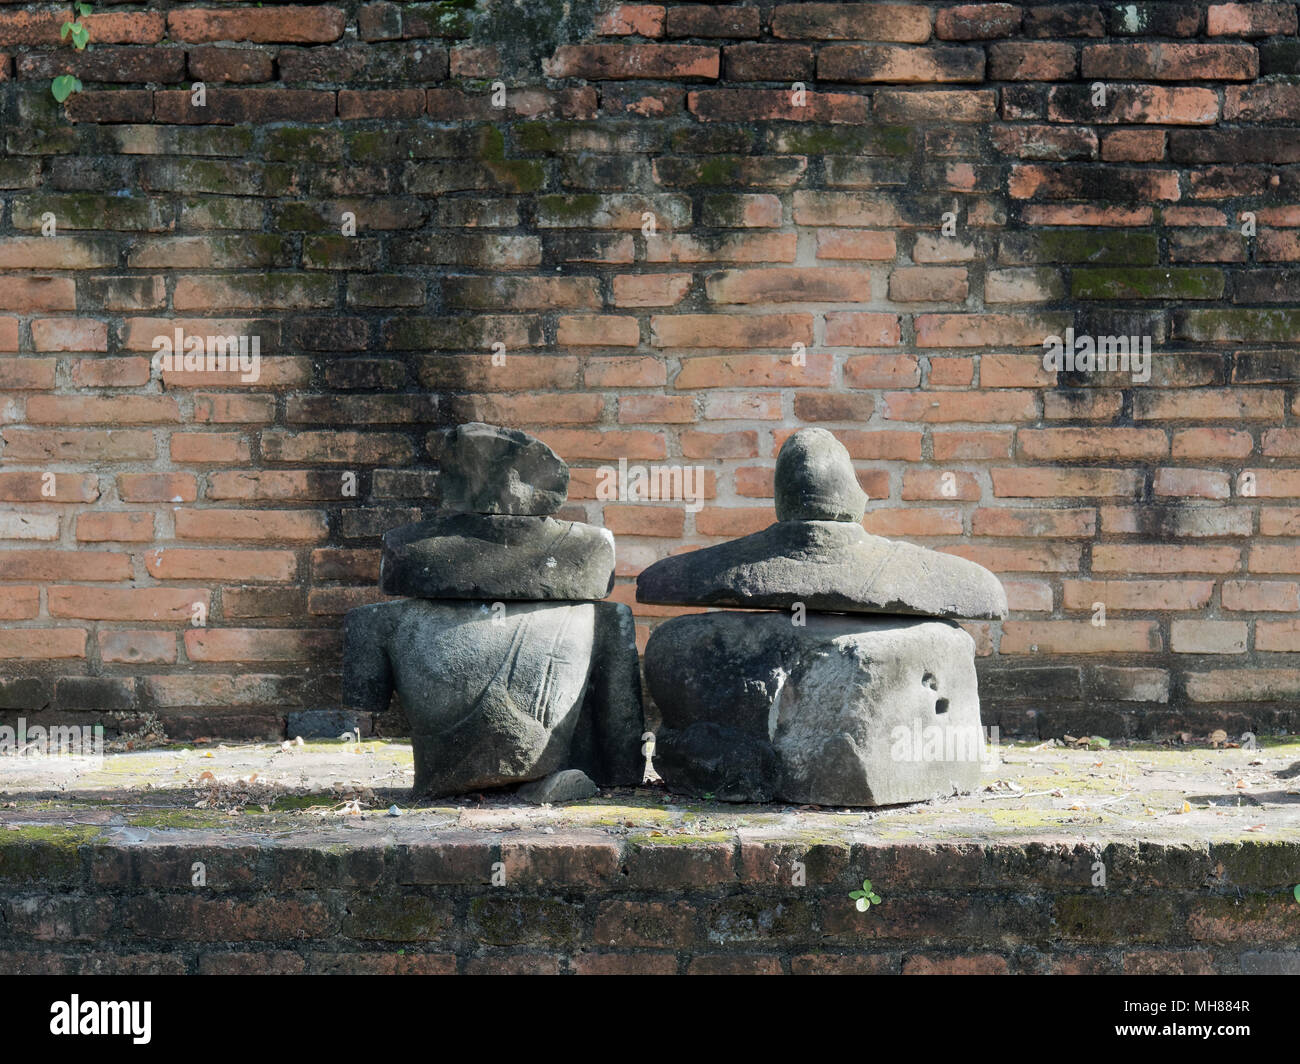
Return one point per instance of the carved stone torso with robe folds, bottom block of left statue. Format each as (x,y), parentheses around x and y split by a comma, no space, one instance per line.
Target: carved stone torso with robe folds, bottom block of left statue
(500,697)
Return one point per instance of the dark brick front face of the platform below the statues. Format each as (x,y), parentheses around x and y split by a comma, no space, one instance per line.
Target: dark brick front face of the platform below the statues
(77,905)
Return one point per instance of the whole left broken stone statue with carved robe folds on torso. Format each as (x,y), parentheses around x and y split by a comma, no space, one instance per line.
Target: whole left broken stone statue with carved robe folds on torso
(508,665)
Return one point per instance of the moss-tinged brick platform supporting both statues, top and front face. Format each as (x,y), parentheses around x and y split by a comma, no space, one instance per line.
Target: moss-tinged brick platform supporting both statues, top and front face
(293,864)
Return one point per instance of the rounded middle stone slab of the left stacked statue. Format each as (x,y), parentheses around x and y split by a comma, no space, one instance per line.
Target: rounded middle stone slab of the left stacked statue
(487,557)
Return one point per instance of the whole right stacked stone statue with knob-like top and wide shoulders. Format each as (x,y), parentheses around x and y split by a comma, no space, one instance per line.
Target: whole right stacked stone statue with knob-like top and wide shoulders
(863,691)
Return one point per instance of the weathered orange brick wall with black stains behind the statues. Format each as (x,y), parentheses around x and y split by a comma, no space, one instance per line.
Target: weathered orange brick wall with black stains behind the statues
(1117,168)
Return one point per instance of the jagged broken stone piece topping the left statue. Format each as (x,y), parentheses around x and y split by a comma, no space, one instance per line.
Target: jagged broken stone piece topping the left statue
(492,470)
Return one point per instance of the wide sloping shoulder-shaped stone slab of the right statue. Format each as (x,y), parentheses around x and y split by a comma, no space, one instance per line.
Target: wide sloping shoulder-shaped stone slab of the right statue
(831,566)
